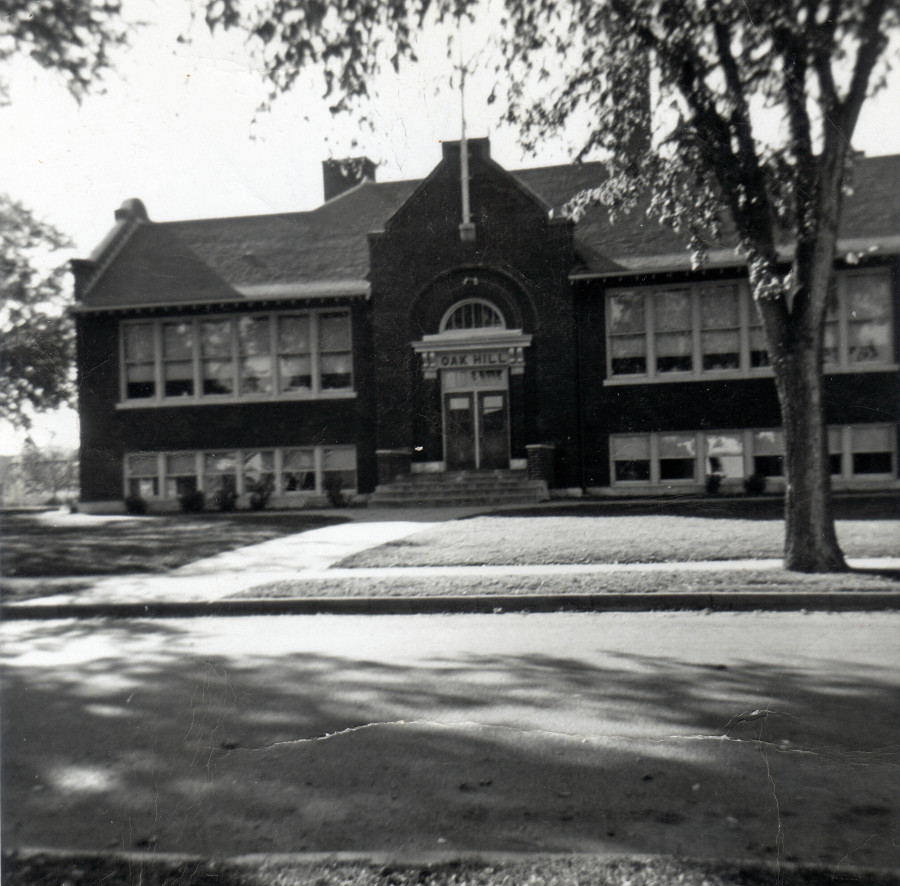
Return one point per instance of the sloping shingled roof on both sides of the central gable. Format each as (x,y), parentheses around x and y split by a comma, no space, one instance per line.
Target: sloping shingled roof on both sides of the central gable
(325,253)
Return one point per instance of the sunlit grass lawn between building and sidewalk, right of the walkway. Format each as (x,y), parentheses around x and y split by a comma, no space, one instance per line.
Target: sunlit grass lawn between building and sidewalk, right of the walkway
(634,532)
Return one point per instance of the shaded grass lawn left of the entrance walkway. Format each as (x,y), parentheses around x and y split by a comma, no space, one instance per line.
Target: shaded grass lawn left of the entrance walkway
(53,543)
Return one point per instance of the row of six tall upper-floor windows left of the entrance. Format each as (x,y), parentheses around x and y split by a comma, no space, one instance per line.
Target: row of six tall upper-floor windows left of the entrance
(263,355)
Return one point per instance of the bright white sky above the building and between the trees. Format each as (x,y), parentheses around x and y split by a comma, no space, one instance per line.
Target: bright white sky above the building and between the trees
(175,127)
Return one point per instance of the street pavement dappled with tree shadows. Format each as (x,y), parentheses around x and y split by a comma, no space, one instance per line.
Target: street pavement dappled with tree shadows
(761,735)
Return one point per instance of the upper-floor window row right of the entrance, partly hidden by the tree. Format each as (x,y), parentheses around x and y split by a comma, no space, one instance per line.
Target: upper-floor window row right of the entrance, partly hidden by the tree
(703,328)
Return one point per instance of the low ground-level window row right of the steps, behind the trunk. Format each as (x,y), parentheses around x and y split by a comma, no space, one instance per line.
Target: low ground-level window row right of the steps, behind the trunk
(855,451)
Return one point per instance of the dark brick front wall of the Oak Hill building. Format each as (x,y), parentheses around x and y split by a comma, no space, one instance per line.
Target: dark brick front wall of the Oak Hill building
(419,267)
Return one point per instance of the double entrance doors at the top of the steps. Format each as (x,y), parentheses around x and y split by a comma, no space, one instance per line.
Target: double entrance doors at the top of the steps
(476,430)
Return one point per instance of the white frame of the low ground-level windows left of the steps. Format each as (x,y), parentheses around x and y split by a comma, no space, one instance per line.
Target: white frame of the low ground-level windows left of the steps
(199,459)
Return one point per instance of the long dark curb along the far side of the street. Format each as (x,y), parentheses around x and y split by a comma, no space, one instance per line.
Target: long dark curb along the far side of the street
(849,601)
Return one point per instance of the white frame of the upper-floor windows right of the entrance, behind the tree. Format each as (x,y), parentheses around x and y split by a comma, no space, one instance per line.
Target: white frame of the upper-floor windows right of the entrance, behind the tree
(748,320)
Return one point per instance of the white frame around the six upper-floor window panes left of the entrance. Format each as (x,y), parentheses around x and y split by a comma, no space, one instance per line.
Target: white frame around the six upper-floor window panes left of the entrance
(198,398)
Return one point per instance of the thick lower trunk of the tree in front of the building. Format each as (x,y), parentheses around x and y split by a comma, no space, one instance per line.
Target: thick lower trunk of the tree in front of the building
(810,540)
